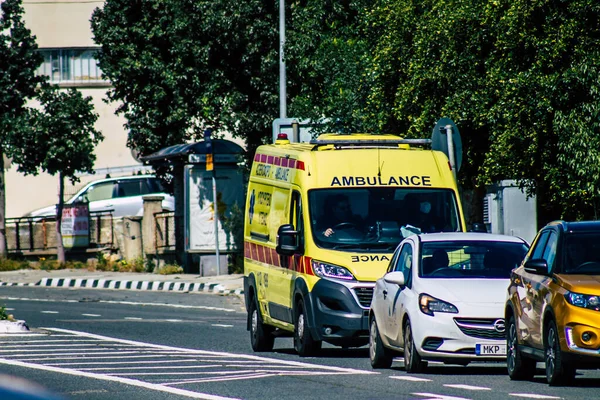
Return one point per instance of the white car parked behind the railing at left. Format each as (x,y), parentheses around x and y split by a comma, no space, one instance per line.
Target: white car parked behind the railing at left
(121,195)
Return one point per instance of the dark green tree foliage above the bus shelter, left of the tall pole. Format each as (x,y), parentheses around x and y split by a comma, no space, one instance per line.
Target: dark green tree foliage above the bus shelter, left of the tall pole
(181,66)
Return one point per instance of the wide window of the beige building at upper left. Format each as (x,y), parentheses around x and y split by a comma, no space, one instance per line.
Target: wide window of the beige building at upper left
(70,66)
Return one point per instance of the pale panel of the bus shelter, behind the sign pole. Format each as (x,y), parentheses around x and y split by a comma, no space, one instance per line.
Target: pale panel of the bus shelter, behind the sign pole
(200,223)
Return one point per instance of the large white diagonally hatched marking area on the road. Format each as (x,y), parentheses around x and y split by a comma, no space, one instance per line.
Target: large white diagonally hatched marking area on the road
(127,361)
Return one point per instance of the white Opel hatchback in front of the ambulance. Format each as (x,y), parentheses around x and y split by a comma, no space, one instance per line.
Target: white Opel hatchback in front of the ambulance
(442,299)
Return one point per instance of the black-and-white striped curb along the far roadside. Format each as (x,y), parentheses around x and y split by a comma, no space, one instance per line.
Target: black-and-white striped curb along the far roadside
(216,288)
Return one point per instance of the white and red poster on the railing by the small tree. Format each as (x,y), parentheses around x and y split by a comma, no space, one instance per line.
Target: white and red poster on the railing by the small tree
(75,225)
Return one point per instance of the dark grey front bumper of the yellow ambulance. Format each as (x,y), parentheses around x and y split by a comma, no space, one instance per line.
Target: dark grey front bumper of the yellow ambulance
(341,312)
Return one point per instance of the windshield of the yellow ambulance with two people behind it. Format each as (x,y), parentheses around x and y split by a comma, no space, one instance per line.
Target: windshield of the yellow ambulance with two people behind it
(377,218)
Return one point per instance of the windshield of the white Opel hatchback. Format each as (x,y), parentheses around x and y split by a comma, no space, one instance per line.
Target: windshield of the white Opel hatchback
(470,259)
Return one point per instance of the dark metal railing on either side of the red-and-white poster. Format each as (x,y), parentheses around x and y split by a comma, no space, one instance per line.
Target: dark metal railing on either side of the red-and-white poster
(39,233)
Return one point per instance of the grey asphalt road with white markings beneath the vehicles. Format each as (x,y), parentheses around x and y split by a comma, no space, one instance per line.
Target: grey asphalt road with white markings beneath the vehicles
(110,344)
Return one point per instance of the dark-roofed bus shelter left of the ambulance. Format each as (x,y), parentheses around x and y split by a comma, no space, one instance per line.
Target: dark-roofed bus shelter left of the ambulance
(196,232)
